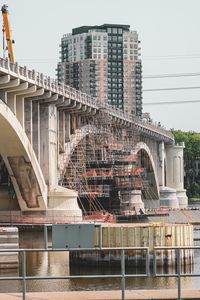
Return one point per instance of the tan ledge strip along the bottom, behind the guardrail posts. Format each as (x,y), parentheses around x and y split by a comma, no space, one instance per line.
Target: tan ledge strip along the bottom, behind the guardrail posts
(106,295)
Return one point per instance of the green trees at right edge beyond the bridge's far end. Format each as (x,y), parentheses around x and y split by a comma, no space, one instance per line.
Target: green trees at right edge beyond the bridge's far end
(191,154)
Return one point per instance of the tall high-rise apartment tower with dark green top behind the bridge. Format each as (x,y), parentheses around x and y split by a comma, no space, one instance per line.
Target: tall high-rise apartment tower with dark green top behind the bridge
(103,61)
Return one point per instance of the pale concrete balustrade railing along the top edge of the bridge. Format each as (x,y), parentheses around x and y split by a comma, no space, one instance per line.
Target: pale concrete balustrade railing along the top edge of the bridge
(67,91)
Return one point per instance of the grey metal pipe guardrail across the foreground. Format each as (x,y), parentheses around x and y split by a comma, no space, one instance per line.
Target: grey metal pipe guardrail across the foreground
(178,274)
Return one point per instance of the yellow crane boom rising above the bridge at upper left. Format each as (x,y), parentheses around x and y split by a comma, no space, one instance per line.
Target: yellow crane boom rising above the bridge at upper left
(7,30)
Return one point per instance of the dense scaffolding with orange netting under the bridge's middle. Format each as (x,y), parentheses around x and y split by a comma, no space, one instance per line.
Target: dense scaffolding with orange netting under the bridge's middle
(104,164)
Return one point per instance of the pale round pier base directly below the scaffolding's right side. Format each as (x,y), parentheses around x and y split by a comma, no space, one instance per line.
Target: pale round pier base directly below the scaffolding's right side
(131,201)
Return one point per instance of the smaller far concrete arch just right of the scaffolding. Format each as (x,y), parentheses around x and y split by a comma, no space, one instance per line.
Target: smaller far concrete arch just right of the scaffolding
(147,161)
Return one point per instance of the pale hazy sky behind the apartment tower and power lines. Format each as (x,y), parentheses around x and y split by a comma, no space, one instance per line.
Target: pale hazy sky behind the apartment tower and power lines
(170,44)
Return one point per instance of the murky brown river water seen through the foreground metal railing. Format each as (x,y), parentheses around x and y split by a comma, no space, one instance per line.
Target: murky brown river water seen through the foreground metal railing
(57,263)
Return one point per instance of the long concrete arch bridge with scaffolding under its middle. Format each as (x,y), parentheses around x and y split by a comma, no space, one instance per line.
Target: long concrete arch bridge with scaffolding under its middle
(63,152)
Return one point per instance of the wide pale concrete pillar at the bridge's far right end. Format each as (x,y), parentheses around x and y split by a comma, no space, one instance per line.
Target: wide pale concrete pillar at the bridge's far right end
(175,172)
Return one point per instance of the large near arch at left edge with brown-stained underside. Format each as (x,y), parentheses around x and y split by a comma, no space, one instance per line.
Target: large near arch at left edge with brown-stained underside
(21,162)
